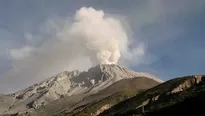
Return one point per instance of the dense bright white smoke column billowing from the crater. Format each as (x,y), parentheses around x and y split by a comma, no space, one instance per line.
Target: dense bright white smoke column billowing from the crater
(102,36)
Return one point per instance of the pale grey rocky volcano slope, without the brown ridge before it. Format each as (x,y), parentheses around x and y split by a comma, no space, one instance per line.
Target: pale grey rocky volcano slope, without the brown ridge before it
(71,86)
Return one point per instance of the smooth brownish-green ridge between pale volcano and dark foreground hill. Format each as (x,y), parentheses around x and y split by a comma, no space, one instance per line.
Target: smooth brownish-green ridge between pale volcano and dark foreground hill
(117,92)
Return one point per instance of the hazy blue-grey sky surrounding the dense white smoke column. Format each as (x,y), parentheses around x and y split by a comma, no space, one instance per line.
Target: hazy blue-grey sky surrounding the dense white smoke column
(168,35)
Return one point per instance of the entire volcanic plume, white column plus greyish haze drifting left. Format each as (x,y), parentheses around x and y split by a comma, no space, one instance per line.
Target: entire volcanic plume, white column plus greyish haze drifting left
(90,38)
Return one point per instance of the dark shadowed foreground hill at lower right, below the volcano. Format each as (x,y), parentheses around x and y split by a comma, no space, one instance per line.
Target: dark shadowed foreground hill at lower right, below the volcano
(180,96)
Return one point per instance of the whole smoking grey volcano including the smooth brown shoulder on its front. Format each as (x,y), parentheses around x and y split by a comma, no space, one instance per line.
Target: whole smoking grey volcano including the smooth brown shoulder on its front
(72,89)
